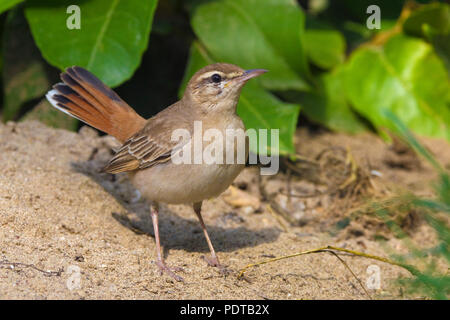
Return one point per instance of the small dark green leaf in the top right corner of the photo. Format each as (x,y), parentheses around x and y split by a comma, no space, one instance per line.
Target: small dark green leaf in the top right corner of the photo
(435,16)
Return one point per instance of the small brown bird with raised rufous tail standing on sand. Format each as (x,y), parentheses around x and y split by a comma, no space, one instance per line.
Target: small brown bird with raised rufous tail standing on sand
(211,97)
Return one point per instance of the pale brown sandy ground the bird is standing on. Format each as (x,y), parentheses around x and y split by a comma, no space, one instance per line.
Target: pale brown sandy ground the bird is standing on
(57,213)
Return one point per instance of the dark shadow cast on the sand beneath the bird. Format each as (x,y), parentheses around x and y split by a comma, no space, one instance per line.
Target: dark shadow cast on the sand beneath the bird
(176,232)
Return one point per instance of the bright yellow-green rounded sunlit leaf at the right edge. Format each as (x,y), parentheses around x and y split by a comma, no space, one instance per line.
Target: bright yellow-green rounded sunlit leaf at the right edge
(406,77)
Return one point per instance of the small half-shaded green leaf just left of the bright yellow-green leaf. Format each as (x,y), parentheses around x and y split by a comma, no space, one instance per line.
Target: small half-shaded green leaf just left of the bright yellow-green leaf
(328,104)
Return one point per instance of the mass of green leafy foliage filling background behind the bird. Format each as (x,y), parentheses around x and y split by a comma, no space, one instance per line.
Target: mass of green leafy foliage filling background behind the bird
(322,58)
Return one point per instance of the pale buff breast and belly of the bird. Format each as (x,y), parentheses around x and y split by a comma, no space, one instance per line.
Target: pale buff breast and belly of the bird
(222,158)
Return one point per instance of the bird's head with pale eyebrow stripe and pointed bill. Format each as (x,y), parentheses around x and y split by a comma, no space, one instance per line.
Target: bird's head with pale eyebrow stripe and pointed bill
(218,86)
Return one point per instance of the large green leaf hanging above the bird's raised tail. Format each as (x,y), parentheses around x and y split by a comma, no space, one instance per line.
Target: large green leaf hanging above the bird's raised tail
(110,42)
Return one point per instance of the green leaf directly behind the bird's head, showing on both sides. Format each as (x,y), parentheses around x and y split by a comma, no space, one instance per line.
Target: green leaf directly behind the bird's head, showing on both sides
(258,108)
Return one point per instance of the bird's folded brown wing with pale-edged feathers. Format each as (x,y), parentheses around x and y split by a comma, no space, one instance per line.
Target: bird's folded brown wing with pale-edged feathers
(150,146)
